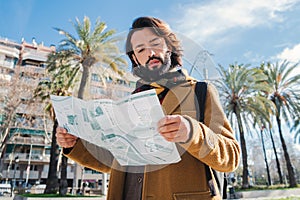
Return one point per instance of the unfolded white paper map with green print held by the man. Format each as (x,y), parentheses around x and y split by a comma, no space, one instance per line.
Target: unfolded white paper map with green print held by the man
(127,127)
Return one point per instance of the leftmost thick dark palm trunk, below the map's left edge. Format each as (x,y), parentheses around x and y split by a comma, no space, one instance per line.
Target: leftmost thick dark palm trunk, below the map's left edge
(52,181)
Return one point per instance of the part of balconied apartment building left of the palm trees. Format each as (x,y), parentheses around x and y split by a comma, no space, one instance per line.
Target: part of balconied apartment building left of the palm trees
(25,127)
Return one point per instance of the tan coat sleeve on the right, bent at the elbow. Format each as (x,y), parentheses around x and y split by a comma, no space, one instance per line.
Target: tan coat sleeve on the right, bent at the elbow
(213,142)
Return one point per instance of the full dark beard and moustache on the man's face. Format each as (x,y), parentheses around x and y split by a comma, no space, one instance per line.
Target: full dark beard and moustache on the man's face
(152,75)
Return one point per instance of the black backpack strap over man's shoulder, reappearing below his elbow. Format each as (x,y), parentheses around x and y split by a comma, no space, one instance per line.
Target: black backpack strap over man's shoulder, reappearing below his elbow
(200,91)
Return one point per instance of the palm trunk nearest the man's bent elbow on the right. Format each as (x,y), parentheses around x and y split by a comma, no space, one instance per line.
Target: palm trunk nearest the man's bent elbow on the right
(245,183)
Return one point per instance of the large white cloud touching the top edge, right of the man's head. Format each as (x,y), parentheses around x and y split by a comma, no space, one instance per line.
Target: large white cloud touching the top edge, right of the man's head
(211,20)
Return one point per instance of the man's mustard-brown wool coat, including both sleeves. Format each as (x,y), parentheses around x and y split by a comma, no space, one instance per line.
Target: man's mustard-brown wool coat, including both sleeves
(212,143)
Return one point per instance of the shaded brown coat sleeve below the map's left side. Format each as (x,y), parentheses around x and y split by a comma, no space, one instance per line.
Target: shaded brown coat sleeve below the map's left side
(90,155)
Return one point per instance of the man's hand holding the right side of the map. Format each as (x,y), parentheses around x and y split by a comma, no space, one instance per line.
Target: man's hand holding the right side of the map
(174,128)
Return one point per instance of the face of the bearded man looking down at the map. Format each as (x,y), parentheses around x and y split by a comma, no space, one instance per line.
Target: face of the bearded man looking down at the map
(149,49)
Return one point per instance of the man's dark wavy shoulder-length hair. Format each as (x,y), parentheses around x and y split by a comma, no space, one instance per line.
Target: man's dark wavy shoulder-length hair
(161,29)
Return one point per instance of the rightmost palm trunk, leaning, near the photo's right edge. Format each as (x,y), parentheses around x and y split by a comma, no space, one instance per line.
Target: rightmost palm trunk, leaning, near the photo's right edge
(291,174)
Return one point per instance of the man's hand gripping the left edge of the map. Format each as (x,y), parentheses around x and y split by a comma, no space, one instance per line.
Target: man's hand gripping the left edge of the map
(65,139)
